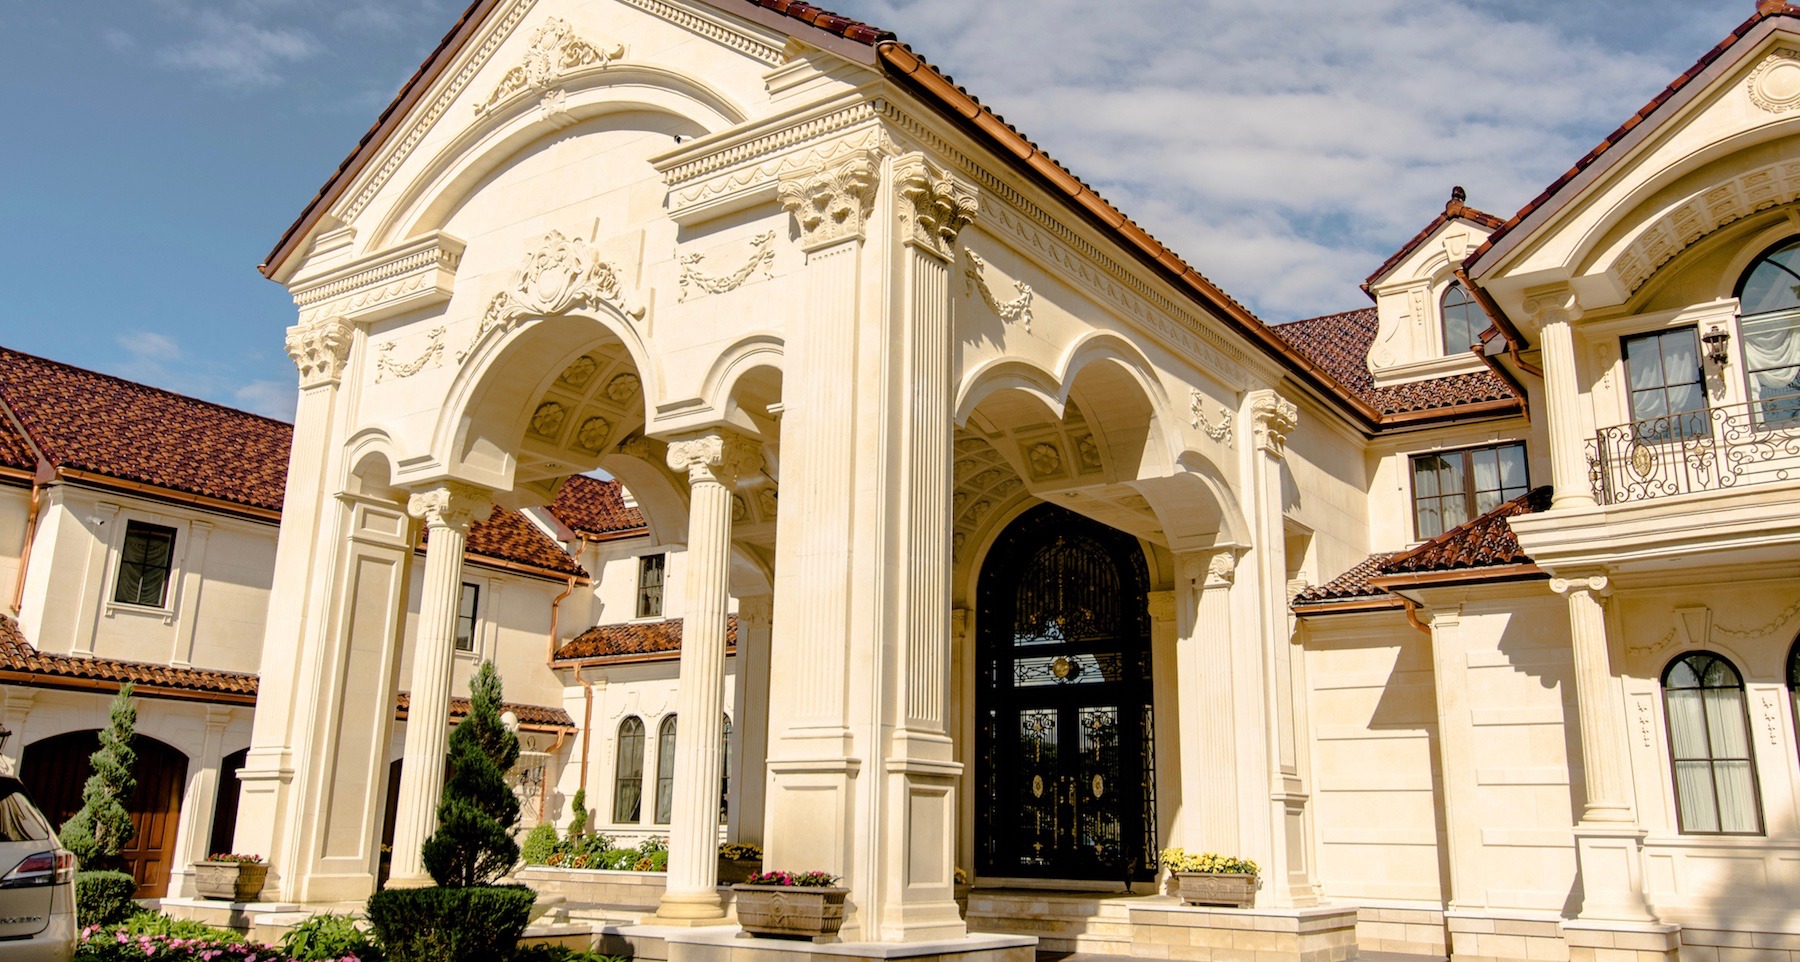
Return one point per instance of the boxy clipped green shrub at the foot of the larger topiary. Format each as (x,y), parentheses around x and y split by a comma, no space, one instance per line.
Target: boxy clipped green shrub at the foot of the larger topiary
(451,925)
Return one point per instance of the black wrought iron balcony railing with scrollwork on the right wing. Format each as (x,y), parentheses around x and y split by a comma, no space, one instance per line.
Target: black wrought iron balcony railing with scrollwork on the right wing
(1698,451)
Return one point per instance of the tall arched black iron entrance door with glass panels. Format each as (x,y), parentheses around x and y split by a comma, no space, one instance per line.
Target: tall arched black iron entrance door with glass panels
(1063,698)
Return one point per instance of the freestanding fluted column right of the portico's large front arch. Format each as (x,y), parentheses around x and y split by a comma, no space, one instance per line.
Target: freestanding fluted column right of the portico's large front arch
(714,464)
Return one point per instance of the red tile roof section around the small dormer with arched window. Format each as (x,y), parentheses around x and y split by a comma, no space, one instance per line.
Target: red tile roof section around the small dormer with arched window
(1340,343)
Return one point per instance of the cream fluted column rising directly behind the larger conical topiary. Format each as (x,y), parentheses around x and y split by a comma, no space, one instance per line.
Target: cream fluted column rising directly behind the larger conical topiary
(447,511)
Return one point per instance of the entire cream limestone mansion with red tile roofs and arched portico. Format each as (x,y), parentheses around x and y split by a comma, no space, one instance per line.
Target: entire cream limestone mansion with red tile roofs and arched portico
(994,534)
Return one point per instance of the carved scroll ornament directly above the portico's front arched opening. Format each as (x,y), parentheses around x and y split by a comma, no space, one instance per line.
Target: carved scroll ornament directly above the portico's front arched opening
(562,275)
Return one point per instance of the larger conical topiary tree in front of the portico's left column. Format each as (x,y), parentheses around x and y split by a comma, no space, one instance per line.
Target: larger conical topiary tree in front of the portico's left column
(476,819)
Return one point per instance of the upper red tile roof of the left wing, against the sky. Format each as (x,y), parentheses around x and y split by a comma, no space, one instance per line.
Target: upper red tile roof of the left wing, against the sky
(123,430)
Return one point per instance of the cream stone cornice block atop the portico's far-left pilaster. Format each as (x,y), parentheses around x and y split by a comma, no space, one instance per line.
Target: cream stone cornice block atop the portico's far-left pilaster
(411,277)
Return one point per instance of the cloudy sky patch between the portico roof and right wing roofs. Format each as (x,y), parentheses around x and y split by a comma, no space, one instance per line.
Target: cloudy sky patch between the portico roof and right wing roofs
(1288,152)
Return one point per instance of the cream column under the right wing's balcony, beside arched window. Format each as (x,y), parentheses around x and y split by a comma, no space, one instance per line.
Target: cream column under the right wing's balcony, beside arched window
(1608,842)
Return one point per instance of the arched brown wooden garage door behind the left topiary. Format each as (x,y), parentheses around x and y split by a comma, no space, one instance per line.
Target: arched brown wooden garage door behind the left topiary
(57,768)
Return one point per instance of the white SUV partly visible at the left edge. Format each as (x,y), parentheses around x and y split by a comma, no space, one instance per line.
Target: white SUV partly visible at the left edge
(37,884)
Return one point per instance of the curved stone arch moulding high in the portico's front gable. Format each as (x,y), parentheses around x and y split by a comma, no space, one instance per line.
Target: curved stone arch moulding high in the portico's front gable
(494,141)
